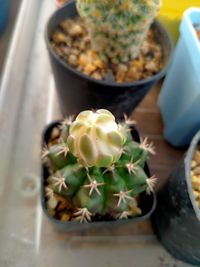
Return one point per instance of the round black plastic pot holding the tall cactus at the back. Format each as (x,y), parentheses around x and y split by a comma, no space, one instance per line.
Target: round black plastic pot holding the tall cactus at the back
(77,91)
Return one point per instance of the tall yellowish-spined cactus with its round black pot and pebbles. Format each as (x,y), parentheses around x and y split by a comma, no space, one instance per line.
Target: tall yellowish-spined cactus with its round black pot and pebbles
(109,56)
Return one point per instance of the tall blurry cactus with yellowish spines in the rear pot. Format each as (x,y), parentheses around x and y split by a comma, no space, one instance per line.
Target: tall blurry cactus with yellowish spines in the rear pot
(118,28)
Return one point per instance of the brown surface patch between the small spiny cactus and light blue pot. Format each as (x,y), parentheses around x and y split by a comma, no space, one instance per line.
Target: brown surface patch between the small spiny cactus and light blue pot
(149,123)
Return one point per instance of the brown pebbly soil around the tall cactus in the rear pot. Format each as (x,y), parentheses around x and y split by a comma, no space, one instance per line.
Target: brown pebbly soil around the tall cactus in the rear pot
(72,44)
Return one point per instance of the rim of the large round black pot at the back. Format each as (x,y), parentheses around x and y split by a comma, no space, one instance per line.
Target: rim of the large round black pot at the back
(157,76)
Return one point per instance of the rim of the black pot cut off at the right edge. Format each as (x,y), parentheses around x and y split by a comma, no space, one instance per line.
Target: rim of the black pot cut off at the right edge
(187,160)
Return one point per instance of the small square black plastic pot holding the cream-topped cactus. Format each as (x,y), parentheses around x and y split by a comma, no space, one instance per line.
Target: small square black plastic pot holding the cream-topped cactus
(147,202)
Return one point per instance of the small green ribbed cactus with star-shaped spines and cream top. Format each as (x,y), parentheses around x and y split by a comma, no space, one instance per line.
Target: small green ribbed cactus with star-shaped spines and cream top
(97,167)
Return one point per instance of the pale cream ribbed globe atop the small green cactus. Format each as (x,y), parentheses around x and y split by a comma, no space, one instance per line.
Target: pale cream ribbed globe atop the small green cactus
(96,139)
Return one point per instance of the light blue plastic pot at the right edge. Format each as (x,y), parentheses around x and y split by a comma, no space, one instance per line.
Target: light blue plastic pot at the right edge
(179,100)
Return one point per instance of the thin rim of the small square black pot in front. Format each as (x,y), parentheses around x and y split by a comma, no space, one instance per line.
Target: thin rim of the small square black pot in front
(96,223)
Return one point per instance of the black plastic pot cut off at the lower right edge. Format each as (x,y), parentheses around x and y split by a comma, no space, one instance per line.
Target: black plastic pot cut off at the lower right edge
(176,220)
